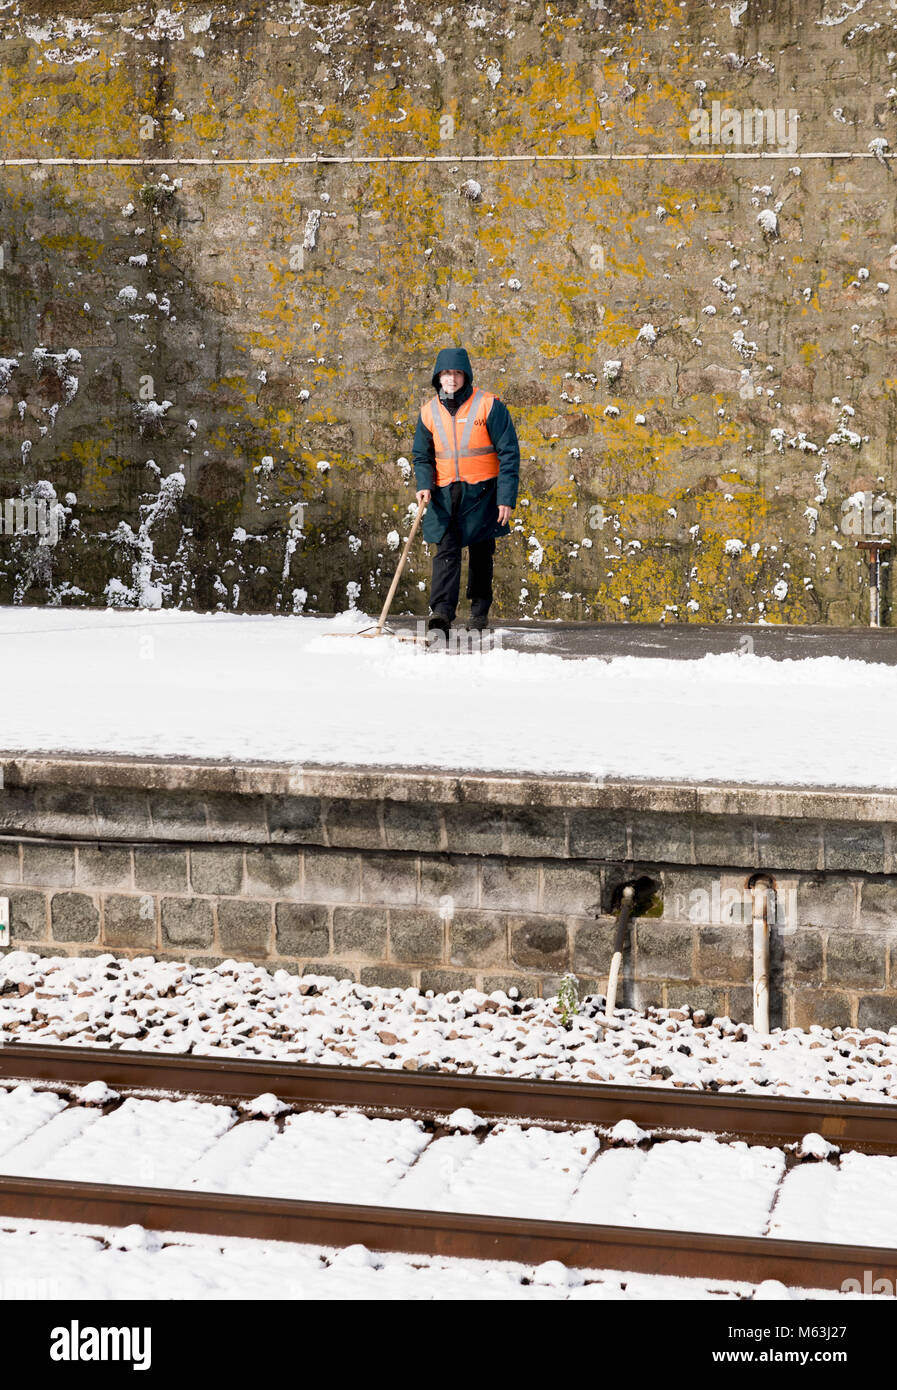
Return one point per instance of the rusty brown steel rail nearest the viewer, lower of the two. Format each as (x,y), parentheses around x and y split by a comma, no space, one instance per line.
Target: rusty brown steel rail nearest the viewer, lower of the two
(686,1254)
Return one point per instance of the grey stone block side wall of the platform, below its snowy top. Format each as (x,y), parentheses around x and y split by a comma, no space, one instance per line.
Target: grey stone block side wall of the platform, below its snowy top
(403,879)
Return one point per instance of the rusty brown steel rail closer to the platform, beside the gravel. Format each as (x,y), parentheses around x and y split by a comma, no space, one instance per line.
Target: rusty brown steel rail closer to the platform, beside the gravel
(859,1125)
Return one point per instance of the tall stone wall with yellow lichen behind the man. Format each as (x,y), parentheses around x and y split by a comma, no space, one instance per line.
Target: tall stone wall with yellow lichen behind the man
(216,366)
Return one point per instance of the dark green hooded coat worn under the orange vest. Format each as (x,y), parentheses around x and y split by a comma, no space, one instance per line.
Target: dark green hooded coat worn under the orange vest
(478,516)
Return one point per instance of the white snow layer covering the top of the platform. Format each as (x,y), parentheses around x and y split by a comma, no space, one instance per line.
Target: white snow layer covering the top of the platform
(287,690)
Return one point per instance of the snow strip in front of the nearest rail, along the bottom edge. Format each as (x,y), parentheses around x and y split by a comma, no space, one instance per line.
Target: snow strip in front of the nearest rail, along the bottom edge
(59,1260)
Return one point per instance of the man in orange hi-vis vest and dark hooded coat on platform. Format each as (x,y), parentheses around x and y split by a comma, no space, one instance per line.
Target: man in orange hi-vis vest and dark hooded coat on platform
(468,468)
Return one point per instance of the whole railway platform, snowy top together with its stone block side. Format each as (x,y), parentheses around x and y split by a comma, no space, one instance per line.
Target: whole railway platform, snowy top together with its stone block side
(362,808)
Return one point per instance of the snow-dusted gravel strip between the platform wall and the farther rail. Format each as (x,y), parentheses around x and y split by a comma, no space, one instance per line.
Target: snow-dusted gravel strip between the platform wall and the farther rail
(243,1008)
